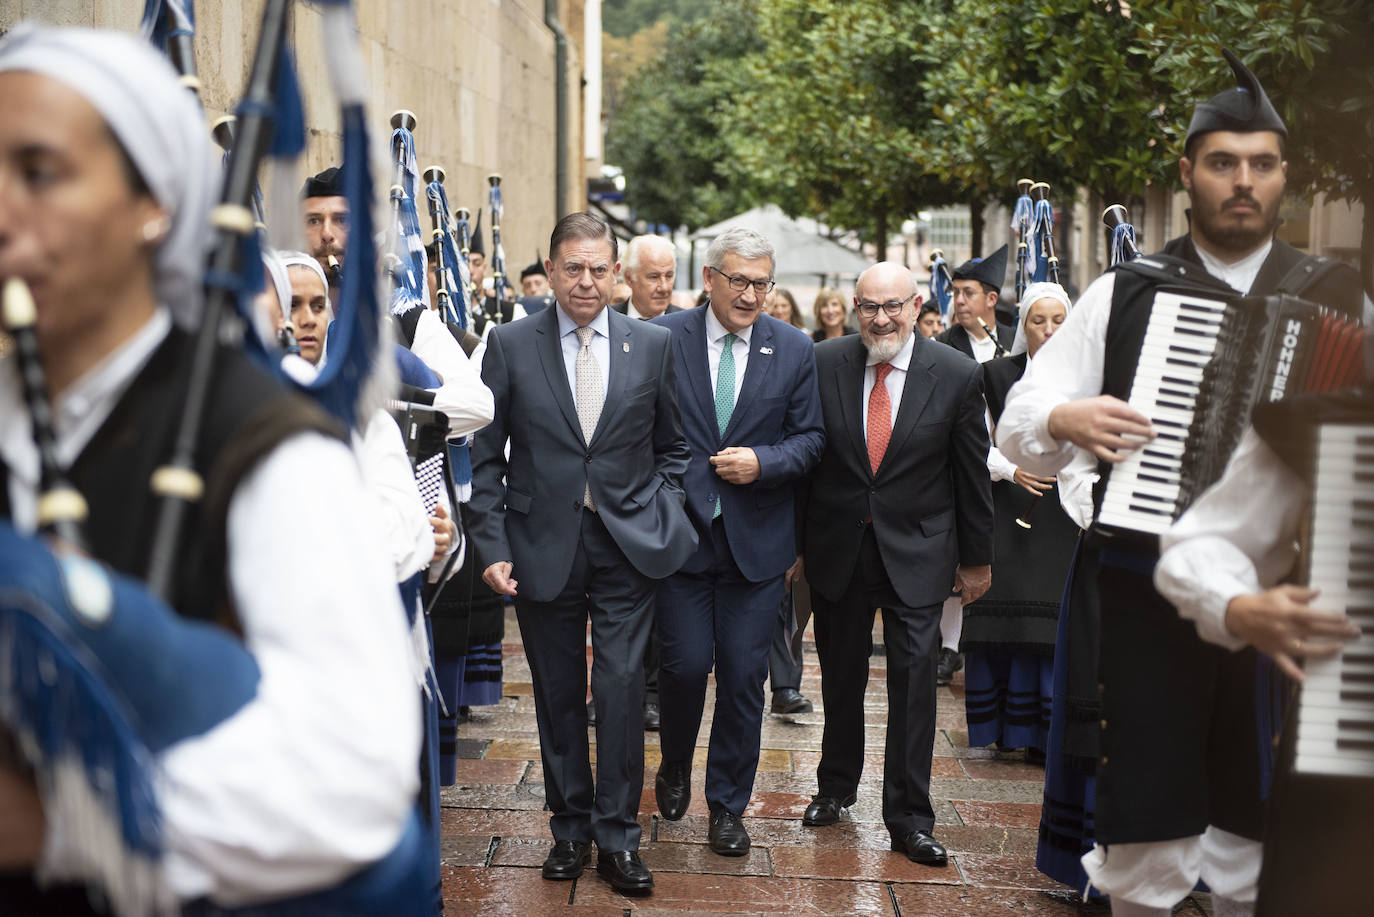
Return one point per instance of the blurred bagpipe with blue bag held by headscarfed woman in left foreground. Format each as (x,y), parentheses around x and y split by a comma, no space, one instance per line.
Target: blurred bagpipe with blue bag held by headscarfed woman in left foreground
(98,673)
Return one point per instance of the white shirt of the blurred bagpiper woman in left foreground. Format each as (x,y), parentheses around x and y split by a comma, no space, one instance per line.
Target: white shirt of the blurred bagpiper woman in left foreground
(252,808)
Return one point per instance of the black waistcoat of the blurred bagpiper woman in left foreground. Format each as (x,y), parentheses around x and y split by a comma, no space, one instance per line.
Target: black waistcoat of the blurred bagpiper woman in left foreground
(248,416)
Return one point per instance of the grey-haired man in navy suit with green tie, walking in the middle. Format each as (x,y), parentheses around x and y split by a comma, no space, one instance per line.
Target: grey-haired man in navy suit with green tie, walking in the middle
(747,388)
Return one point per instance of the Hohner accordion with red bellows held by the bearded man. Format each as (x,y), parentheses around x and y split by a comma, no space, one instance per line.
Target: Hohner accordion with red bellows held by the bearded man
(1207,362)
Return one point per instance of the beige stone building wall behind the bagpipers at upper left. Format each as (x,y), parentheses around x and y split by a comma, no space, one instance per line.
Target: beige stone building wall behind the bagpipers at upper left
(479,75)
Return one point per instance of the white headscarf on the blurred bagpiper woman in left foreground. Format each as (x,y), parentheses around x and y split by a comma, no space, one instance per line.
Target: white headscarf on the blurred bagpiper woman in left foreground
(160,126)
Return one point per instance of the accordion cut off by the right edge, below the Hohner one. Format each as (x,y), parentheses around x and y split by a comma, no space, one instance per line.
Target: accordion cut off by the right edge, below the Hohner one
(1316,852)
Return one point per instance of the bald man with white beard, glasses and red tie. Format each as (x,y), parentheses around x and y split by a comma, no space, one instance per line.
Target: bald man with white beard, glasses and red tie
(899,513)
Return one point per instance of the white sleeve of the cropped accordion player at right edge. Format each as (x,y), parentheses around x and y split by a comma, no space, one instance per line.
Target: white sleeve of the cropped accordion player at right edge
(1230,544)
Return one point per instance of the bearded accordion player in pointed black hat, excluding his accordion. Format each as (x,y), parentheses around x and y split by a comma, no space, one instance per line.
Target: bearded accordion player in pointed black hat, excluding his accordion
(1178,769)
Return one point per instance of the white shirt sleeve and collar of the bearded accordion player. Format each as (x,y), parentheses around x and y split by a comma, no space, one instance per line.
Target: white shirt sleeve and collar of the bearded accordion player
(1071,366)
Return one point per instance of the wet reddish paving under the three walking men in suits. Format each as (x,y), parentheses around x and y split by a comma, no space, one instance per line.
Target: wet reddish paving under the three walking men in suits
(987,812)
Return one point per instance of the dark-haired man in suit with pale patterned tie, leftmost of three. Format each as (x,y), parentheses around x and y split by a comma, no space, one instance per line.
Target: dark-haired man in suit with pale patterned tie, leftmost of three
(581,520)
